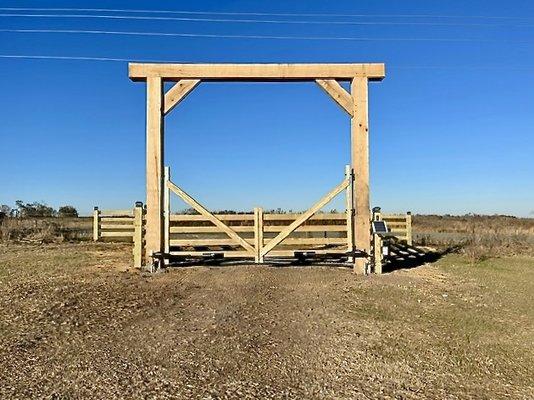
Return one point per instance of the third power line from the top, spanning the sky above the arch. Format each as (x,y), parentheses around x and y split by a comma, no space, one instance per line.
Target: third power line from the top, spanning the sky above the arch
(264,37)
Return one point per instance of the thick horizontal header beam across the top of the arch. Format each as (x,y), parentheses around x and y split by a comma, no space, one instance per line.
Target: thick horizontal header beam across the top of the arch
(255,72)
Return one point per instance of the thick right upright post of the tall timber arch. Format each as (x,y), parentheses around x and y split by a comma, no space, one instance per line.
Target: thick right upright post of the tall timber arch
(360,166)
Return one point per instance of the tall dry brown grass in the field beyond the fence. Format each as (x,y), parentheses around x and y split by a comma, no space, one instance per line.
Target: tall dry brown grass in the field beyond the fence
(479,237)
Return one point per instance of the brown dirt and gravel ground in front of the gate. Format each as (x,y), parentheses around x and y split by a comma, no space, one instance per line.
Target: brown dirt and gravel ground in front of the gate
(76,322)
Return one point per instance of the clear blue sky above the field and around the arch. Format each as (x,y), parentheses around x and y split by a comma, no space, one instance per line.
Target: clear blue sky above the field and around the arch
(450,126)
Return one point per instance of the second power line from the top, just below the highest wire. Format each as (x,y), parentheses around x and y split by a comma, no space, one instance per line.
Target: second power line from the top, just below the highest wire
(256,21)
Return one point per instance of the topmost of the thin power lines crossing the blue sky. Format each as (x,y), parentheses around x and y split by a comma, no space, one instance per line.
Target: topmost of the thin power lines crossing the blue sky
(265,13)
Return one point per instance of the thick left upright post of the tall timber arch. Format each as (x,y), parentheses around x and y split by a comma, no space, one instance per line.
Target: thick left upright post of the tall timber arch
(154,166)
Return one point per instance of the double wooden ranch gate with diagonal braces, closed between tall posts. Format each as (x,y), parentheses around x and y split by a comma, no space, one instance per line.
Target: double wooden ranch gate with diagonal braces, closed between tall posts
(258,234)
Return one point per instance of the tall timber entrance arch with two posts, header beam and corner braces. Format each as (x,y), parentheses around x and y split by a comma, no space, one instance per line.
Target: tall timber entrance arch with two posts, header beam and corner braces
(188,76)
